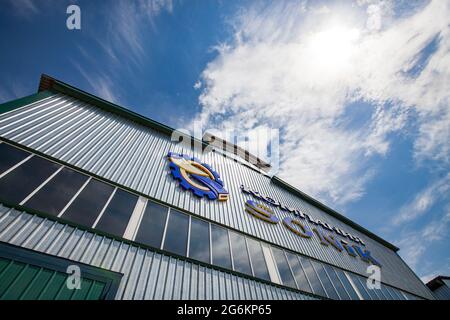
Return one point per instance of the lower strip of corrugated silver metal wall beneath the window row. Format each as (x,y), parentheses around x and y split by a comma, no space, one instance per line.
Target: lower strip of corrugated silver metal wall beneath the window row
(146,274)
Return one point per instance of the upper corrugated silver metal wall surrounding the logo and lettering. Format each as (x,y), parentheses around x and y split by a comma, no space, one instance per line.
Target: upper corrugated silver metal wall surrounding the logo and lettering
(132,155)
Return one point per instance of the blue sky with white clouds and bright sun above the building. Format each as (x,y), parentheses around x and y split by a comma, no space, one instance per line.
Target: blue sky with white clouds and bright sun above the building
(358,92)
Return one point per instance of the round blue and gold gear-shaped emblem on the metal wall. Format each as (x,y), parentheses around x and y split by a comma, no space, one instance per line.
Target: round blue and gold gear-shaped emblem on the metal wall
(196,176)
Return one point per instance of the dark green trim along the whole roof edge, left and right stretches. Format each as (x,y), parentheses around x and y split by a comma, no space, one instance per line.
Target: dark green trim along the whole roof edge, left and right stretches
(49,86)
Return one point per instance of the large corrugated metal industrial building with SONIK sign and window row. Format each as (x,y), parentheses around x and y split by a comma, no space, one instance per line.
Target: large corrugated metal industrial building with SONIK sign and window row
(87,183)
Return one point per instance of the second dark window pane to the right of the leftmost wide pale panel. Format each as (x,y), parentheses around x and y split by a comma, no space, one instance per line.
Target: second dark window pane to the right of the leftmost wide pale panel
(176,234)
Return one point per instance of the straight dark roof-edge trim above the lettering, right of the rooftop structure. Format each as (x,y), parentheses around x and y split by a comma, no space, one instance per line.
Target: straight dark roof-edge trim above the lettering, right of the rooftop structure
(334,213)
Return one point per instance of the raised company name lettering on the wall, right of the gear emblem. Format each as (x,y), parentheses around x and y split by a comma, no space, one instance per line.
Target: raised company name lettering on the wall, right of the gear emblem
(295,225)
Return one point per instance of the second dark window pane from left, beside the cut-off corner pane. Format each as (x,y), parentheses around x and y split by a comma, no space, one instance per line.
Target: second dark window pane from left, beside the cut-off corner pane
(19,183)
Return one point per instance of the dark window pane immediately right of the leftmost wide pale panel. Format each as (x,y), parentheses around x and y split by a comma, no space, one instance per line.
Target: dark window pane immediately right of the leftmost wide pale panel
(152,225)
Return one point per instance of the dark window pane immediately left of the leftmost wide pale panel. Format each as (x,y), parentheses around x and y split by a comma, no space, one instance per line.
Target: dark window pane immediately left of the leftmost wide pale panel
(116,216)
